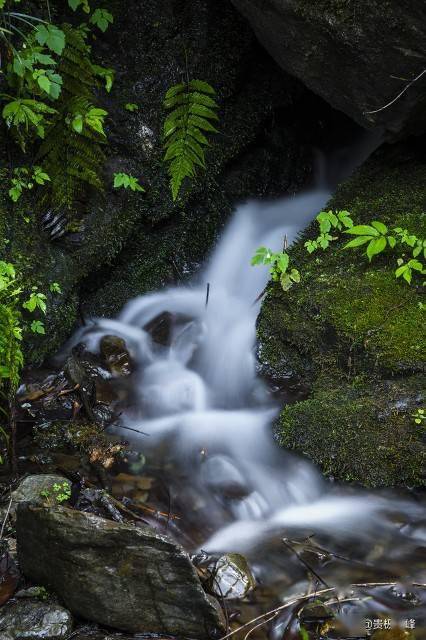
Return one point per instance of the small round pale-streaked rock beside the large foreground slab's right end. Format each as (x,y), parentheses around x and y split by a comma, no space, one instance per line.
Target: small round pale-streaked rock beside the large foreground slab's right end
(231,577)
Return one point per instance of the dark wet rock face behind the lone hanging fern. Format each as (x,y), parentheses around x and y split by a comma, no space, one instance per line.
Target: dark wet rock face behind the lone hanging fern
(124,244)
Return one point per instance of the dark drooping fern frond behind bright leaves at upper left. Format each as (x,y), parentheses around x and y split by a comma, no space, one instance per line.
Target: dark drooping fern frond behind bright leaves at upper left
(72,151)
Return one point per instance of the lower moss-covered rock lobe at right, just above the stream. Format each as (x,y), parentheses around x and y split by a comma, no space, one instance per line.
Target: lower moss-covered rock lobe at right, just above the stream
(364,434)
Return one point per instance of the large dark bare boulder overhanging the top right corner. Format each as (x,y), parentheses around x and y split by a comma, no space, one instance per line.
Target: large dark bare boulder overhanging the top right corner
(357,55)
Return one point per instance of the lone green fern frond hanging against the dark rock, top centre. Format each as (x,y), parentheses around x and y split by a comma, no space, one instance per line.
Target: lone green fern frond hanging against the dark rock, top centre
(192,108)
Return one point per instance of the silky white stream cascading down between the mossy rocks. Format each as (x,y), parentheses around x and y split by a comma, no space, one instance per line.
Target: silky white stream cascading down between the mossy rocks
(205,421)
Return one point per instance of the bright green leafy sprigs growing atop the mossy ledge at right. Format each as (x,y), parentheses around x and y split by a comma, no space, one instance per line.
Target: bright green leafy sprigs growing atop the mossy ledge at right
(376,236)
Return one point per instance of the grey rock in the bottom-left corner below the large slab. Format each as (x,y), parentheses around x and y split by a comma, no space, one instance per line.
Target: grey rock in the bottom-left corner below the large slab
(34,620)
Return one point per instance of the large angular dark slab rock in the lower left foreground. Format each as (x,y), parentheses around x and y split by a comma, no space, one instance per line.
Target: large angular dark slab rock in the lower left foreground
(125,577)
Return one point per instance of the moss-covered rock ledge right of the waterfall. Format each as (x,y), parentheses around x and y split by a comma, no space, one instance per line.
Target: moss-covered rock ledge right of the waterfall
(353,337)
